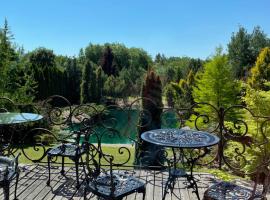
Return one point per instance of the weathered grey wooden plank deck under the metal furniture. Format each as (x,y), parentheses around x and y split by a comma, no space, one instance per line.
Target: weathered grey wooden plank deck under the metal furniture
(32,185)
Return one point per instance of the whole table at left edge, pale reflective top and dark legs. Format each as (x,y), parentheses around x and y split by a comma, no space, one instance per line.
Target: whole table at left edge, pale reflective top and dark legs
(8,119)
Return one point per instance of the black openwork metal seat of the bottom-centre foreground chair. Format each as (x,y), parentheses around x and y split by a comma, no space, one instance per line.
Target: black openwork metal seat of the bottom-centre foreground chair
(124,185)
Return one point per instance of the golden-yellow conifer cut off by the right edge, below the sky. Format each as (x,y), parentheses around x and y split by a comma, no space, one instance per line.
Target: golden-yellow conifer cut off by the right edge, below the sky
(260,73)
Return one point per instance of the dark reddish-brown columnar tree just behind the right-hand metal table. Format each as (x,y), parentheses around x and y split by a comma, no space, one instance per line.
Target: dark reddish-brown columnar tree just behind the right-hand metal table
(150,119)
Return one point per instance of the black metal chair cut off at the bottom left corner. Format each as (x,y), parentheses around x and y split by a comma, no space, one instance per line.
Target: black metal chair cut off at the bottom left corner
(8,171)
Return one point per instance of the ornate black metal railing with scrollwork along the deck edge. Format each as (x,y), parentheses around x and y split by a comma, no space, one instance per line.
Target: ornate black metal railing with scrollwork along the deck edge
(242,132)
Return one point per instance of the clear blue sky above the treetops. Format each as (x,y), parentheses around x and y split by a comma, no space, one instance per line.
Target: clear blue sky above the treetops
(191,28)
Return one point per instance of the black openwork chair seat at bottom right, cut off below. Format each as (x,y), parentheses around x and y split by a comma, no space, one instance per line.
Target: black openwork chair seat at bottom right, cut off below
(227,190)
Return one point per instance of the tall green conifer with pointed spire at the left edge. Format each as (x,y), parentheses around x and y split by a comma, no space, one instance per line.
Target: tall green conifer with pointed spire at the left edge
(15,78)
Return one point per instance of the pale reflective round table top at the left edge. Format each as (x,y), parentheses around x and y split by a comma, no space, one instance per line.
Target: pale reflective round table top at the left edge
(16,118)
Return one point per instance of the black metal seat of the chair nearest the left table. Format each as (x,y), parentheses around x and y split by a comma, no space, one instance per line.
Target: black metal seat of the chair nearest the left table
(66,150)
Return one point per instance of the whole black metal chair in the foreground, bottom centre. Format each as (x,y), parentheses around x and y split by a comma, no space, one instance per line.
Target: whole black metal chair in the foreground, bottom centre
(106,183)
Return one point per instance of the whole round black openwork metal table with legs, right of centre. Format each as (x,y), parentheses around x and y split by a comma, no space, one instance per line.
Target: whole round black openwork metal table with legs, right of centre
(182,139)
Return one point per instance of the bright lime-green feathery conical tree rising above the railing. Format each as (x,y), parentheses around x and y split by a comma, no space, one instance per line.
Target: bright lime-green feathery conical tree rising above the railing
(216,84)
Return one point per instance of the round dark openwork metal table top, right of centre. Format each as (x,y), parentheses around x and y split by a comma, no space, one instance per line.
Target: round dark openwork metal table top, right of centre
(180,138)
